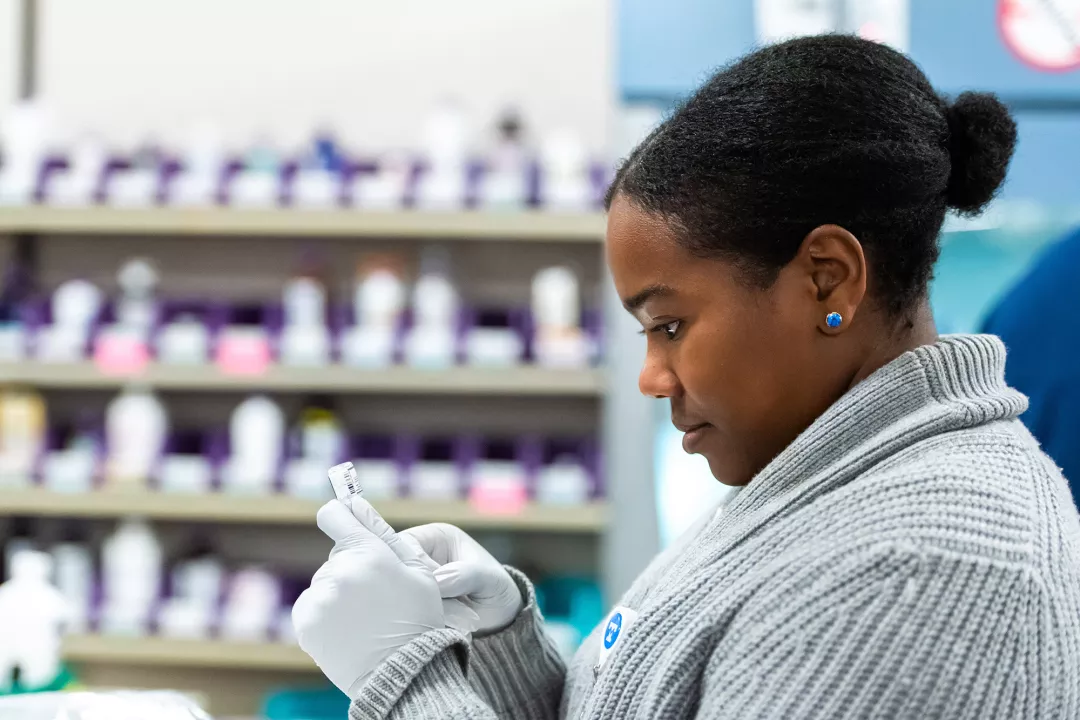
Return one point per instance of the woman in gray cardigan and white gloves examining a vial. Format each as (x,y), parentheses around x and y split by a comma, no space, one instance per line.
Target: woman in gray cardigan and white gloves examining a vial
(902,548)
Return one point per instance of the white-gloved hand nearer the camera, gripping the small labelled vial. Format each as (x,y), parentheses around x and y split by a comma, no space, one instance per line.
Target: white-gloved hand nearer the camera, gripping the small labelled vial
(374,595)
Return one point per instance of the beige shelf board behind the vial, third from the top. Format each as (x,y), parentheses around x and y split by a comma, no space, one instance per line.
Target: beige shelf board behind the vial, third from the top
(282,510)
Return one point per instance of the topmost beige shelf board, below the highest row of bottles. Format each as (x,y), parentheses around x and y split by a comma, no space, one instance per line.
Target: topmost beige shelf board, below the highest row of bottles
(287,223)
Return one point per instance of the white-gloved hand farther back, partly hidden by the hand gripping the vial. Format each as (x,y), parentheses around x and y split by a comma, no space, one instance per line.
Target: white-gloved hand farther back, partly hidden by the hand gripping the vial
(469,573)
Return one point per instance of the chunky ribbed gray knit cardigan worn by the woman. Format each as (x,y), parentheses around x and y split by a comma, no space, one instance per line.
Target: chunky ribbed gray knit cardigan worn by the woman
(913,554)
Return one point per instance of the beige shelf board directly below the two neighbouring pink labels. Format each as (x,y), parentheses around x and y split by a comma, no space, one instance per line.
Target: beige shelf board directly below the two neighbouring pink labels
(335,378)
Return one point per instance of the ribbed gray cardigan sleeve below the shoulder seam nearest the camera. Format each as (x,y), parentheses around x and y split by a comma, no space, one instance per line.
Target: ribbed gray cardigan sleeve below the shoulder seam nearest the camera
(893,634)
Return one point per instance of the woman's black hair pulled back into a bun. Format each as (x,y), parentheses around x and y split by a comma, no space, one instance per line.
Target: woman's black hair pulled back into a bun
(822,130)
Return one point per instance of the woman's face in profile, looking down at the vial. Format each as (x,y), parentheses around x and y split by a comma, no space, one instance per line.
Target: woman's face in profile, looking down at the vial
(747,370)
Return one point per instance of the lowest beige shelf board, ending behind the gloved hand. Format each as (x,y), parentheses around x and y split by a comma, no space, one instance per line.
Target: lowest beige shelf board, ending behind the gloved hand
(186,654)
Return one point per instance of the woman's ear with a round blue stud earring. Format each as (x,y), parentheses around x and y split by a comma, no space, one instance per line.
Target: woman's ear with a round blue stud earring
(836,266)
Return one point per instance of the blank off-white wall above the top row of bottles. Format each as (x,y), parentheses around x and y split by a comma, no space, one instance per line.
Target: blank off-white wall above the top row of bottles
(370,69)
